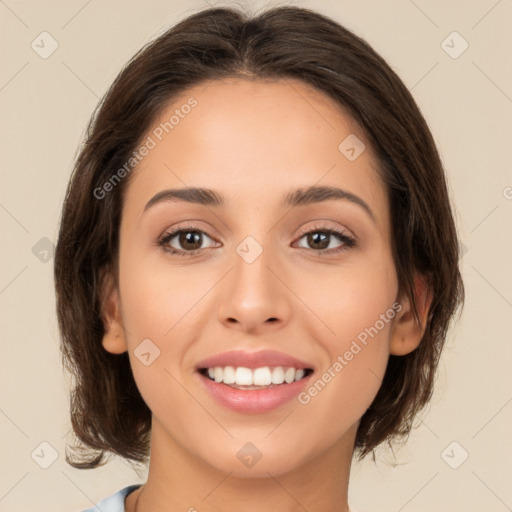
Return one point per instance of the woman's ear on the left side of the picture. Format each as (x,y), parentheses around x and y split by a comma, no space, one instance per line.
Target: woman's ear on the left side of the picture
(114,338)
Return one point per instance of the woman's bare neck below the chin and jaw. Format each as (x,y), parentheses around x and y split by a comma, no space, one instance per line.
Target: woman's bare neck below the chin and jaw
(180,481)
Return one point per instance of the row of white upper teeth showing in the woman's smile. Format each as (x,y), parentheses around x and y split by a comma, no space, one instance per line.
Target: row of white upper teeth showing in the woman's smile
(263,376)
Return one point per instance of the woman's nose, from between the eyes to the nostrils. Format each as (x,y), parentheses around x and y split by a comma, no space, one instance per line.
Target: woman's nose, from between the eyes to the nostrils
(255,297)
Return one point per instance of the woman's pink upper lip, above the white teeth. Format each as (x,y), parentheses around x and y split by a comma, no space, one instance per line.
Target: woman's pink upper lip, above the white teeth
(241,358)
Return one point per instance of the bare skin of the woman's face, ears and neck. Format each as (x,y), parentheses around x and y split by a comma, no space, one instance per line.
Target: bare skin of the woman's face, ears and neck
(252,142)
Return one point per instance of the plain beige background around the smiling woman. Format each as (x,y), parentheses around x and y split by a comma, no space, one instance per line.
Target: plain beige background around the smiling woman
(45,105)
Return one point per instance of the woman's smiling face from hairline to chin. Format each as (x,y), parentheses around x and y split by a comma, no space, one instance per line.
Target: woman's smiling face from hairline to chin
(256,281)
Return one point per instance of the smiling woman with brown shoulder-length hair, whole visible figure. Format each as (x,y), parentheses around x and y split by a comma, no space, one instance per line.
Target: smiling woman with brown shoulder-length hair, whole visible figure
(256,267)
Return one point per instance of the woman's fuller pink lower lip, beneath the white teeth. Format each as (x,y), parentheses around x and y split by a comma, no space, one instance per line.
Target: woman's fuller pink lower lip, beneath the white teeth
(253,401)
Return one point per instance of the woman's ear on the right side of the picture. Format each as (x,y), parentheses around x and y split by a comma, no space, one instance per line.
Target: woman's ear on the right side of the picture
(407,332)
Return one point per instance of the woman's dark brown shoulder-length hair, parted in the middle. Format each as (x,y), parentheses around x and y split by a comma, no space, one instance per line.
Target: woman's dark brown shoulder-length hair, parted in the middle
(108,413)
